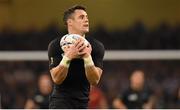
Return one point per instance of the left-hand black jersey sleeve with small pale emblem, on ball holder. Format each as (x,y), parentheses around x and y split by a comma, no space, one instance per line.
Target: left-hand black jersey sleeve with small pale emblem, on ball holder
(54,54)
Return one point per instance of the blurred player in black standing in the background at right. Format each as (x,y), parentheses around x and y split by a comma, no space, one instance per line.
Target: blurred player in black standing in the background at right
(136,96)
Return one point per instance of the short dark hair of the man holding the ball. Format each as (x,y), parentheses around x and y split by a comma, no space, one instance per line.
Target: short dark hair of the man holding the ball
(70,11)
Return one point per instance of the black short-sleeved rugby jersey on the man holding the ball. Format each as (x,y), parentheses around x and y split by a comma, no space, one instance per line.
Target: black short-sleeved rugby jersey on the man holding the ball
(75,85)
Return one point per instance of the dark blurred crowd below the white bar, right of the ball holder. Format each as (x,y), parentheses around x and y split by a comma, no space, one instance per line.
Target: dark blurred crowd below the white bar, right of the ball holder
(162,77)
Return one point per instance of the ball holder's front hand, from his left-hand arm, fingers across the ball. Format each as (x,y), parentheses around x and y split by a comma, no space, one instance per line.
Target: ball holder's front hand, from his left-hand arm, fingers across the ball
(72,51)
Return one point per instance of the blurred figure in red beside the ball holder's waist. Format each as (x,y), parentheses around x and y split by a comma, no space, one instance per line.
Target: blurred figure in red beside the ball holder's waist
(97,99)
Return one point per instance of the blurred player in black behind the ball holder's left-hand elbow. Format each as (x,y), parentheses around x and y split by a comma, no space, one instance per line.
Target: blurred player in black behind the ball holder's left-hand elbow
(40,100)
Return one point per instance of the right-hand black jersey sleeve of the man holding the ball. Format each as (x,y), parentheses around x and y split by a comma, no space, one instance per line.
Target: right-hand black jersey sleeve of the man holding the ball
(98,54)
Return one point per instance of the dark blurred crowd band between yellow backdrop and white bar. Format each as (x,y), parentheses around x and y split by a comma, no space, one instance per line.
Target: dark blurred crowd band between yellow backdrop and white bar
(137,36)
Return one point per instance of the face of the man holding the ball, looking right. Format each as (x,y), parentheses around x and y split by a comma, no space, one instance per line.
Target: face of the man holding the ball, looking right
(79,22)
